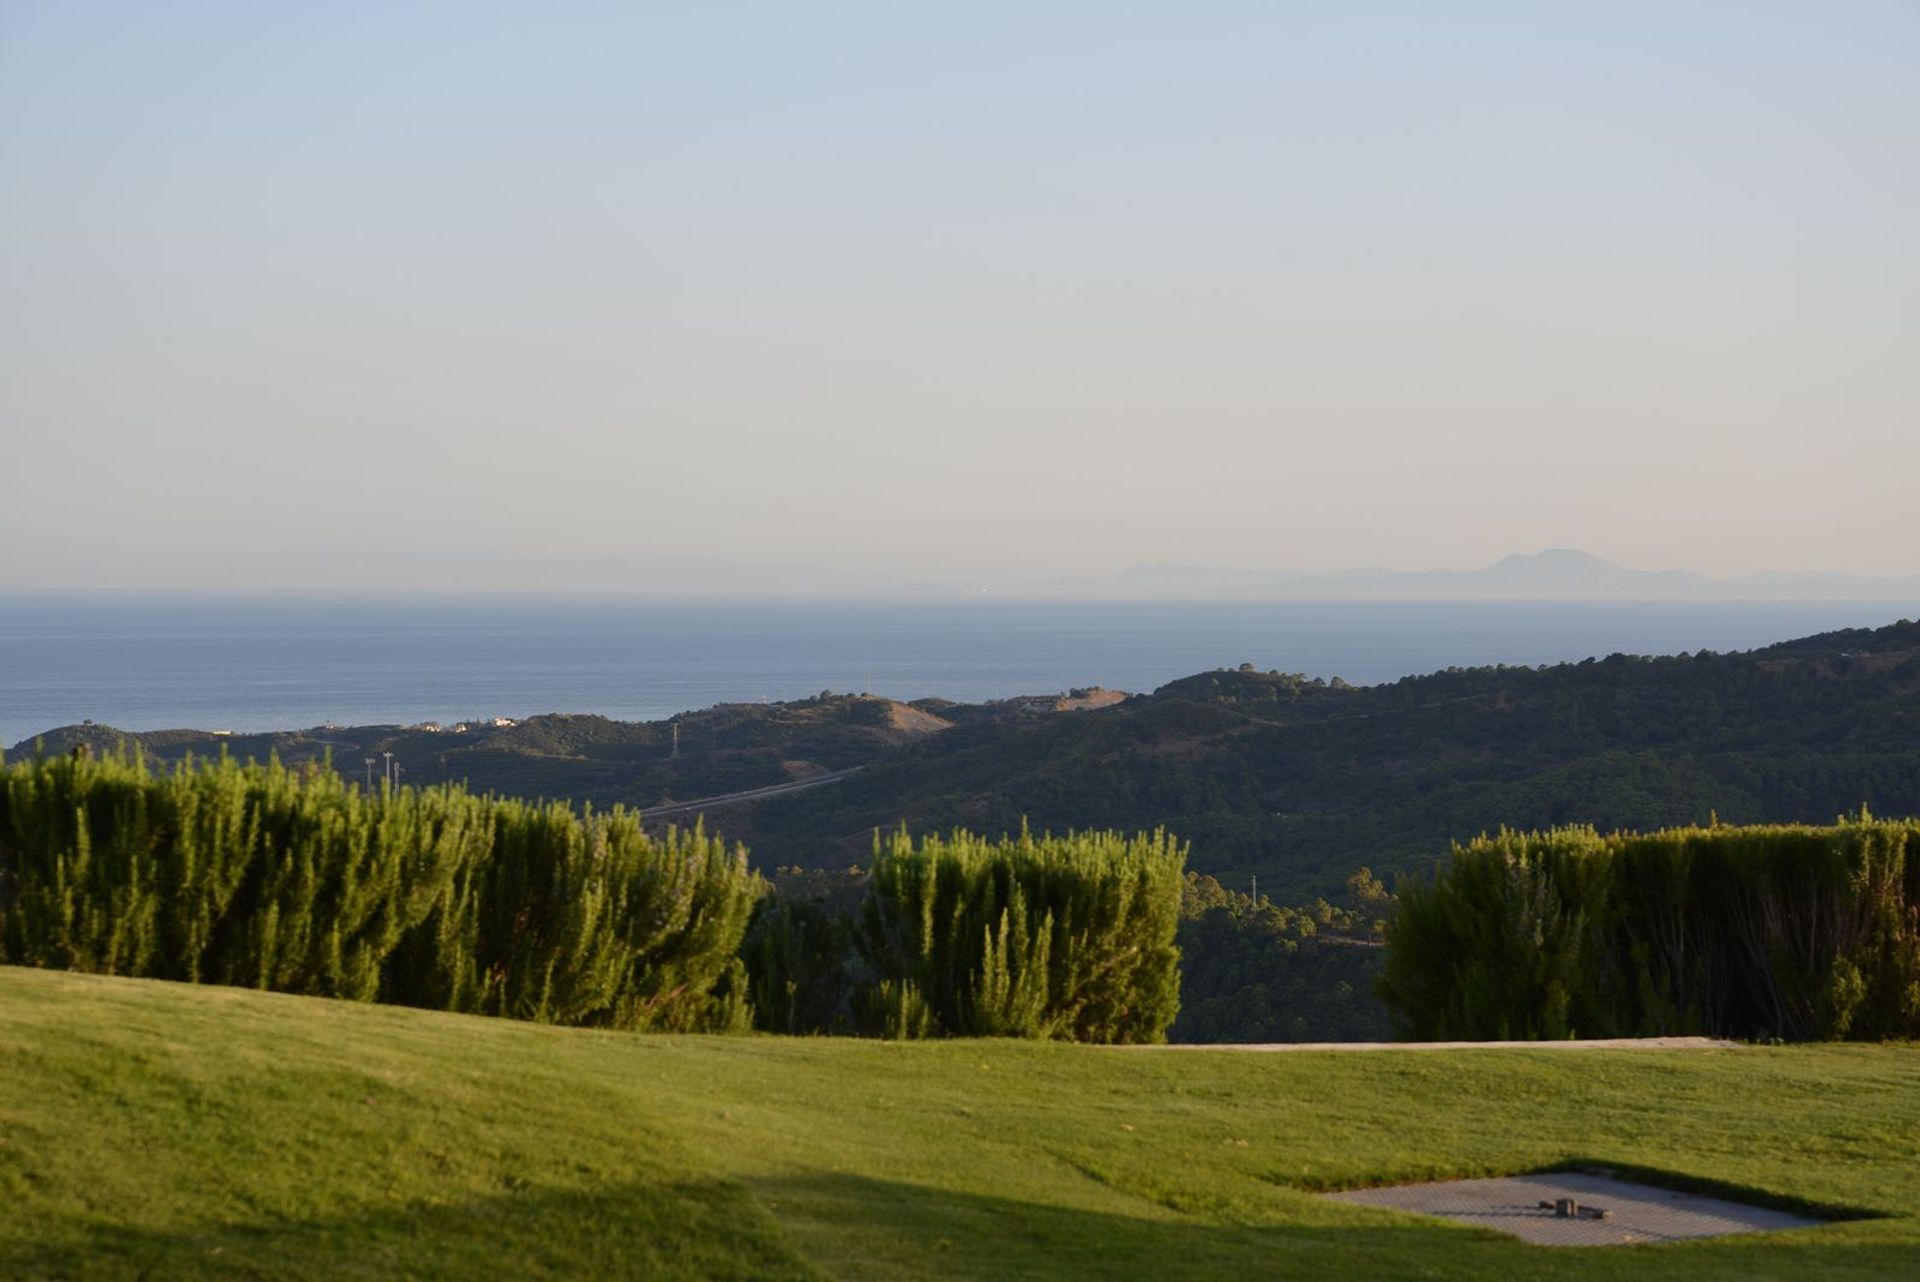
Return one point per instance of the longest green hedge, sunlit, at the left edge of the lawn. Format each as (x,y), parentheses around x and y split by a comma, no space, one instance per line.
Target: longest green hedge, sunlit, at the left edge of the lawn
(272,878)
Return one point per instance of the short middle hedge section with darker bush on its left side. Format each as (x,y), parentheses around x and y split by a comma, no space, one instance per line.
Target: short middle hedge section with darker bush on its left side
(1042,938)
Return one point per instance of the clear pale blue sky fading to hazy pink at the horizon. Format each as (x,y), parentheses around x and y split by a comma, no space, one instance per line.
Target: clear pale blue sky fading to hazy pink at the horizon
(473,295)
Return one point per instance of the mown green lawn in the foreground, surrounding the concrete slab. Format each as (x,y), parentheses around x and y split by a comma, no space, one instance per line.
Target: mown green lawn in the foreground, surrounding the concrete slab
(160,1131)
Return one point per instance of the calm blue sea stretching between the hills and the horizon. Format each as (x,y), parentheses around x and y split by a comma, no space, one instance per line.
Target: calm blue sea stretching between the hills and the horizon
(260,663)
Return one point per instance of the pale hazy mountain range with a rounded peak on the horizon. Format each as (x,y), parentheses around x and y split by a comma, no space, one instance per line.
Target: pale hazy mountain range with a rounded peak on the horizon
(1556,575)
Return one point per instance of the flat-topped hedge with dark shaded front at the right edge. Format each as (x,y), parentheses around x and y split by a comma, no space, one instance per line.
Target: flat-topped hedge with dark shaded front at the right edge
(1739,932)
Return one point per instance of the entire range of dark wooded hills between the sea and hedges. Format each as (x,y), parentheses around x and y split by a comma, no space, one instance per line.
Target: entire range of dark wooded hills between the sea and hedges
(1266,774)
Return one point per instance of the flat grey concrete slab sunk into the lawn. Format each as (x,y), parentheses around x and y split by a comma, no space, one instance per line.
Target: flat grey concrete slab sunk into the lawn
(1633,1212)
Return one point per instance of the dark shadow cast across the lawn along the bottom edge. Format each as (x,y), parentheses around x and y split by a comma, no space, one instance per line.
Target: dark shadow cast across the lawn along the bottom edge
(821,1225)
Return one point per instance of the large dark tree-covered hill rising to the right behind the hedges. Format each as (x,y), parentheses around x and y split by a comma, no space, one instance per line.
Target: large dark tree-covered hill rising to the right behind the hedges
(1297,782)
